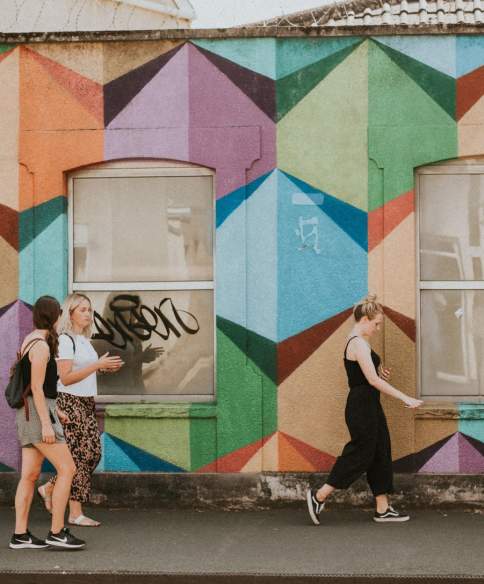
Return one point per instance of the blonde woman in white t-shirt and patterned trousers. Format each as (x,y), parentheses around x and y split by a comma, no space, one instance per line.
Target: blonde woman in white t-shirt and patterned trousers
(77,365)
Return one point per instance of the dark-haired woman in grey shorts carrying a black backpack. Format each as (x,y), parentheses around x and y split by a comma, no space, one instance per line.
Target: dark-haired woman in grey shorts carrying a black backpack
(40,433)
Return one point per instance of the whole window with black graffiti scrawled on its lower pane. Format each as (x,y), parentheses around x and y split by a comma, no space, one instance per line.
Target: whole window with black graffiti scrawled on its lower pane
(142,238)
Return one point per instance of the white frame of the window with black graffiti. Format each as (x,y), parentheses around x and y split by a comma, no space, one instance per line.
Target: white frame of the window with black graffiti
(145,168)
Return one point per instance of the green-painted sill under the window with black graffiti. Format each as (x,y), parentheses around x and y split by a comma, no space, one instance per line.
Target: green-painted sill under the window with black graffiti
(161,410)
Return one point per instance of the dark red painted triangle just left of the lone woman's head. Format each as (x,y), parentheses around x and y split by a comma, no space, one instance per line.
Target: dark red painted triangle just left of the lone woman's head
(295,350)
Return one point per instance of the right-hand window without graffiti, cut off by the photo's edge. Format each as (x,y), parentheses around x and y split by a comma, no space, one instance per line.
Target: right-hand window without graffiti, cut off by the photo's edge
(451,274)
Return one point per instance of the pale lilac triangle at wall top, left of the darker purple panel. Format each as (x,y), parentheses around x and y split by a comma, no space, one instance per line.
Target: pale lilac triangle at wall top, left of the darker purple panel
(163,102)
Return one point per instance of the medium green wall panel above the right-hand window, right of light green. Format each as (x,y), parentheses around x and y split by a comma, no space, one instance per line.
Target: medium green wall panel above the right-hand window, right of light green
(407,129)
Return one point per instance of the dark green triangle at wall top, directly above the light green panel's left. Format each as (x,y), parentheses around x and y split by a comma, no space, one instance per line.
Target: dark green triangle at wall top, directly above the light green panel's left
(292,88)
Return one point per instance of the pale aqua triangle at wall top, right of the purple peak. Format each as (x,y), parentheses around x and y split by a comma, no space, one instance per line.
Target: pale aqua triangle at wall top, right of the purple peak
(256,54)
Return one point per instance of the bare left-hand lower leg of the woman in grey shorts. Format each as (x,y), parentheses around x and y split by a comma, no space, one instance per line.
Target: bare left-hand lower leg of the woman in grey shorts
(31,465)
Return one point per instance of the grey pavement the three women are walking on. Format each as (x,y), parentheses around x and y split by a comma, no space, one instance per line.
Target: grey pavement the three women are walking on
(260,546)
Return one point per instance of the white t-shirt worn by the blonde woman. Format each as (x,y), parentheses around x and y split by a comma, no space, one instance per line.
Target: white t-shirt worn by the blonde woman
(83,356)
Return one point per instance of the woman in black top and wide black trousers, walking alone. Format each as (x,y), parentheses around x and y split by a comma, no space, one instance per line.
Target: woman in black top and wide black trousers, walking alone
(369,449)
